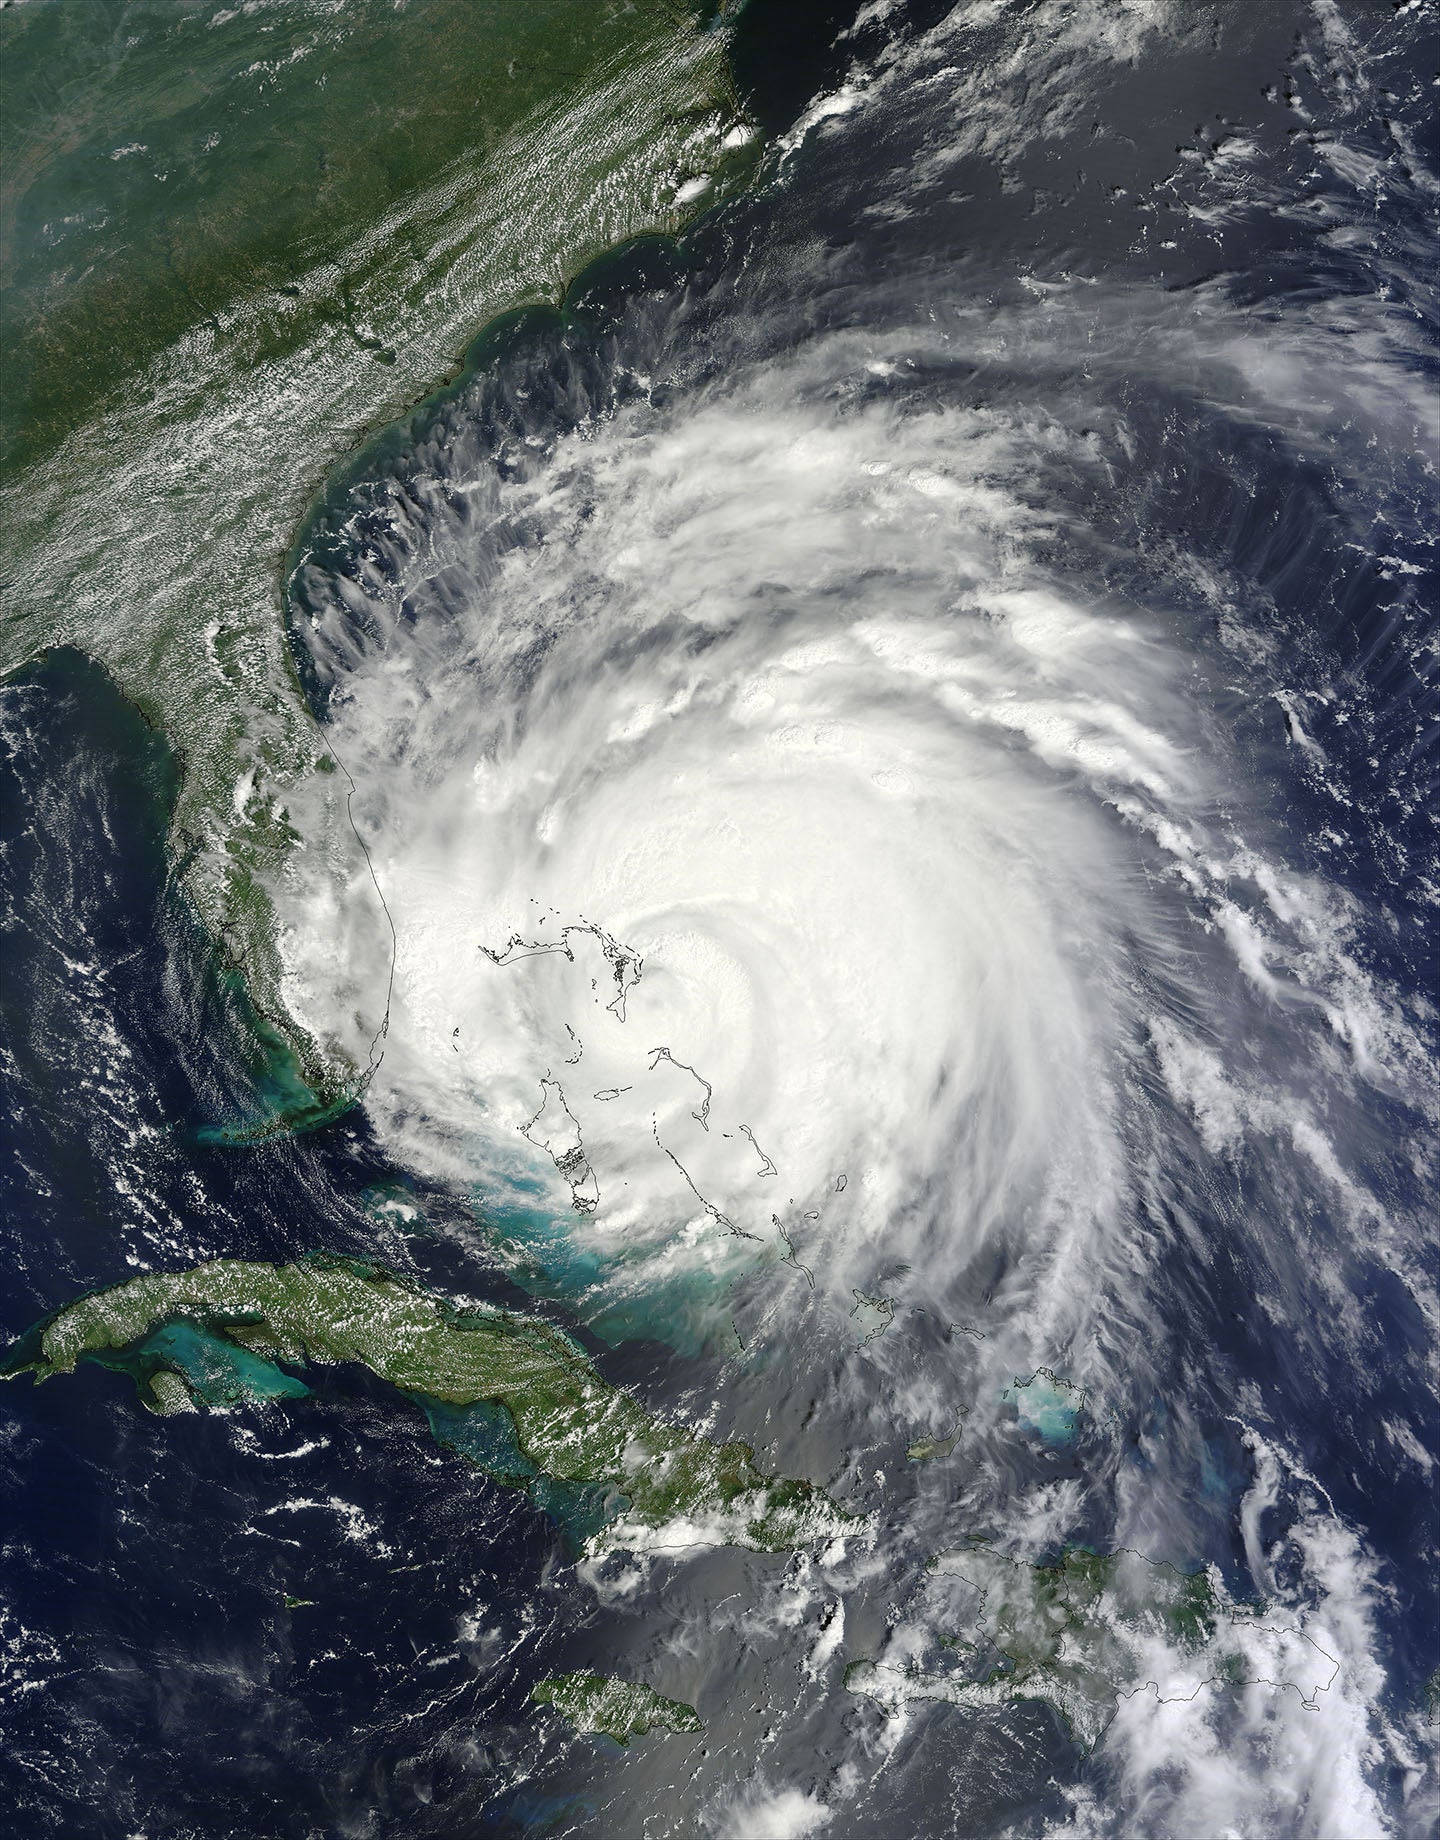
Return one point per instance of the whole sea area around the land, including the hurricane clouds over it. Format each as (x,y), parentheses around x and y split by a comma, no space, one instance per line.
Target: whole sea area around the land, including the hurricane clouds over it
(913,711)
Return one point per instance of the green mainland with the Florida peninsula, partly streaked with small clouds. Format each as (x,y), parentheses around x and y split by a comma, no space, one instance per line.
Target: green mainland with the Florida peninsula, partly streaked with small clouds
(234,244)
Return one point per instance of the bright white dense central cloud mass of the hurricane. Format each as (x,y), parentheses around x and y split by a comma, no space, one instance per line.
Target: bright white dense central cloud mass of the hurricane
(760,807)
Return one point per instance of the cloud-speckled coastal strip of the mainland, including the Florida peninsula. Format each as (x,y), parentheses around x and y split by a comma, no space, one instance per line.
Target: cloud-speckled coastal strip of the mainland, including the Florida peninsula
(233,707)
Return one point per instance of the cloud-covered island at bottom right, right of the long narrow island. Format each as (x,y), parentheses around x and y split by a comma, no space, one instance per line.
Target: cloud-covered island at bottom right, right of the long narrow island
(1080,1635)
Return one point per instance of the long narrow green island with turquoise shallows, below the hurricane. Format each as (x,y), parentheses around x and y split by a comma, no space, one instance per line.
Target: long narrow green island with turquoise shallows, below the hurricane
(510,1392)
